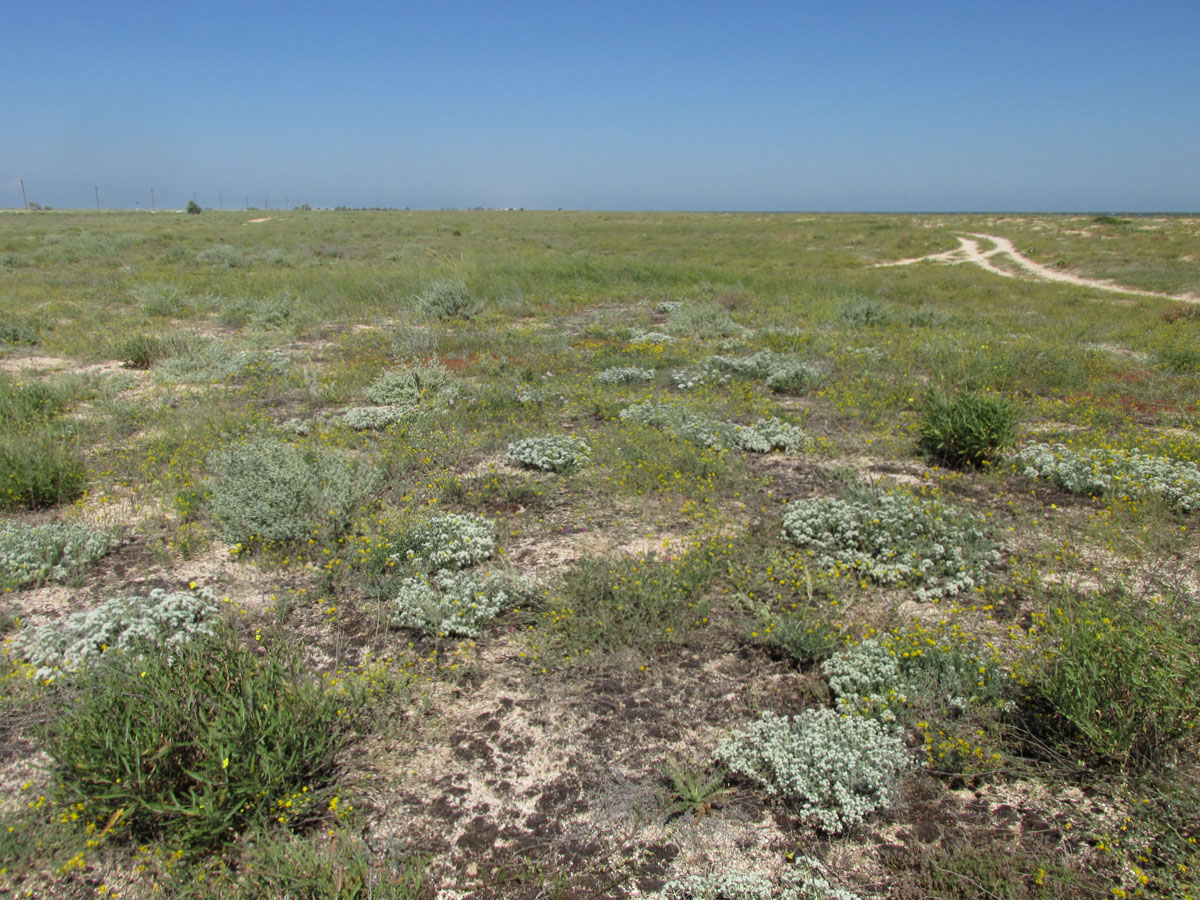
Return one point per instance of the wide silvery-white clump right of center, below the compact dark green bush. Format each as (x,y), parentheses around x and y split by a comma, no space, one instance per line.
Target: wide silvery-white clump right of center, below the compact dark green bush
(895,538)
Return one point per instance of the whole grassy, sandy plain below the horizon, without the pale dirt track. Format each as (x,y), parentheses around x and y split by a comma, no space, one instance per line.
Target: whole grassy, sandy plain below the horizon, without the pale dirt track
(513,555)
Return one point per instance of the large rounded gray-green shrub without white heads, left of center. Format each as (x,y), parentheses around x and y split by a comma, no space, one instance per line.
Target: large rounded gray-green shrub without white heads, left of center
(267,490)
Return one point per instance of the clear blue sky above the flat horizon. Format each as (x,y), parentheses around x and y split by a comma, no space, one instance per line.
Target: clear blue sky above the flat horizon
(761,106)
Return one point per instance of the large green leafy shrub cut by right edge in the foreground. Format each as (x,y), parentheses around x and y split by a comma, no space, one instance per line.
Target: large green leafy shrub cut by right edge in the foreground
(1115,677)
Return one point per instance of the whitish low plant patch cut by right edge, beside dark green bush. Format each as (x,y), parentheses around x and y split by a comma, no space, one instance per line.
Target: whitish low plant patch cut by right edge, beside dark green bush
(1108,472)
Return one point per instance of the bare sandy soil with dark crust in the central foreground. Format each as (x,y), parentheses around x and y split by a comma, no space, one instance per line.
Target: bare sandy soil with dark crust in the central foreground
(523,779)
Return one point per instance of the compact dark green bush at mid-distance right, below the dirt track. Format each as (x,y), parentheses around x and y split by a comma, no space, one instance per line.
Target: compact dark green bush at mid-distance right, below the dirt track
(970,430)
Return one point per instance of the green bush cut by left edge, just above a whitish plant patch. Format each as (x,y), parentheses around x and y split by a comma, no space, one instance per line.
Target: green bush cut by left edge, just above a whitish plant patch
(39,471)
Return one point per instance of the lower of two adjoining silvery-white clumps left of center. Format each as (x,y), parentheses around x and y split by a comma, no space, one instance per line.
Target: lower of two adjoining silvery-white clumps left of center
(454,603)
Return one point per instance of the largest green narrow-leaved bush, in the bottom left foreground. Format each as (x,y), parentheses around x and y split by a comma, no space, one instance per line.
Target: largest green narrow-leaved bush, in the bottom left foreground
(196,743)
